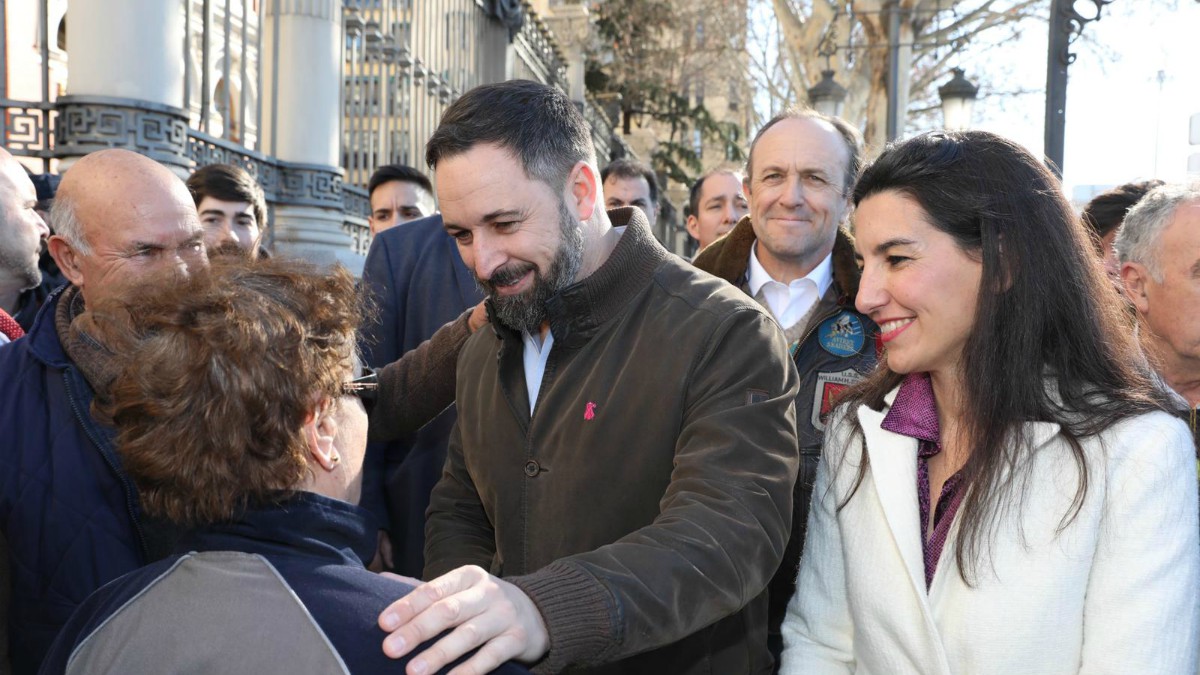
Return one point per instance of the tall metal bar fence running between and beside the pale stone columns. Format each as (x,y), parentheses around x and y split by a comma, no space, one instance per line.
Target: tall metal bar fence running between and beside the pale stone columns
(405,62)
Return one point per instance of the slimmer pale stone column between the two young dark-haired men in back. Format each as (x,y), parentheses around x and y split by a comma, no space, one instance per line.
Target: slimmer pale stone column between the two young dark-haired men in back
(302,65)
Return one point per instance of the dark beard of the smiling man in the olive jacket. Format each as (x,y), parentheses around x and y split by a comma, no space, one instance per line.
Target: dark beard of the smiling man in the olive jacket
(527,312)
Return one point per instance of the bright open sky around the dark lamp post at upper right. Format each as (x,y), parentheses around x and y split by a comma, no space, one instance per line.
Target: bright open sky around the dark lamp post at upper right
(1121,123)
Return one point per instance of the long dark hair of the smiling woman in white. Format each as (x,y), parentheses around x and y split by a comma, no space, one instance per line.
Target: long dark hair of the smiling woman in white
(1047,344)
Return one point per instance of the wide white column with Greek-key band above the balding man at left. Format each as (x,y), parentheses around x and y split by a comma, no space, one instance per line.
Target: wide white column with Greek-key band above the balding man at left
(127,85)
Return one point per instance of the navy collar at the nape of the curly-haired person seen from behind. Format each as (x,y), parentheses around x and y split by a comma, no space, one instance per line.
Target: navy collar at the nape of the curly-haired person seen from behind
(302,523)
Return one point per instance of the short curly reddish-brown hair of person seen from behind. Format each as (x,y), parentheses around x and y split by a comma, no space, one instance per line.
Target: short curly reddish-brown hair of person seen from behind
(218,375)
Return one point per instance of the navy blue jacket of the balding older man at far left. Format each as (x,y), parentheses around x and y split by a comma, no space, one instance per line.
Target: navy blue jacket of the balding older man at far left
(68,510)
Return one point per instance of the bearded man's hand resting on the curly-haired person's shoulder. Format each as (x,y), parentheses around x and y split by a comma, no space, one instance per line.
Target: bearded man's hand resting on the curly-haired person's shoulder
(479,611)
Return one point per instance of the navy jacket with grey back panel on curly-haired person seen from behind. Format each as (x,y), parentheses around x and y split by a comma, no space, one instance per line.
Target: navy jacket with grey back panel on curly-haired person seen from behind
(281,589)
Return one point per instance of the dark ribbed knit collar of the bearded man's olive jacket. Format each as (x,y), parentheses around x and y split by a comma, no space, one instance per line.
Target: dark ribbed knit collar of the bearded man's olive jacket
(578,312)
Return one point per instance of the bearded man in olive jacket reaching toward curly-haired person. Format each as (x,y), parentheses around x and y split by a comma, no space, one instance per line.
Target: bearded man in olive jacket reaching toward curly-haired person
(619,487)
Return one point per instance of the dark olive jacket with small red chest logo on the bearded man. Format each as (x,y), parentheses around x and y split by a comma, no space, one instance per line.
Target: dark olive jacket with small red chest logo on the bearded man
(646,503)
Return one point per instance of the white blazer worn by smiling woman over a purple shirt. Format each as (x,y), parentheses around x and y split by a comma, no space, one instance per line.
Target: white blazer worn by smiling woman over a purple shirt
(1115,592)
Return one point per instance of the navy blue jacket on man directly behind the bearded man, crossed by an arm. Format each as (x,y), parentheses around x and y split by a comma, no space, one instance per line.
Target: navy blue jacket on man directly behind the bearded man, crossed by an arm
(419,283)
